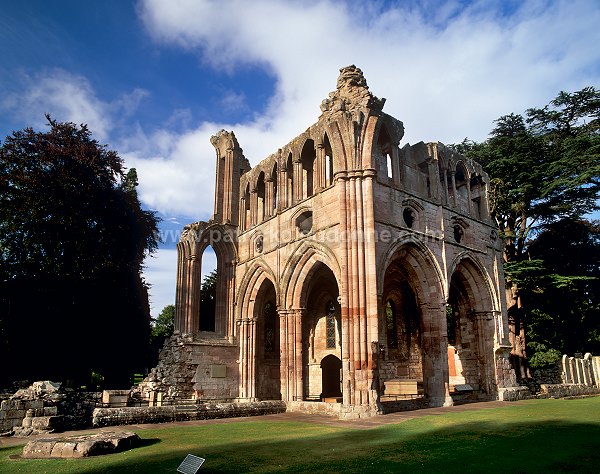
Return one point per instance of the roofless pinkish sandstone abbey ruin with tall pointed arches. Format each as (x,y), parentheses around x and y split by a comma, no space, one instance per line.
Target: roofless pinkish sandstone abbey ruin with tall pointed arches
(352,272)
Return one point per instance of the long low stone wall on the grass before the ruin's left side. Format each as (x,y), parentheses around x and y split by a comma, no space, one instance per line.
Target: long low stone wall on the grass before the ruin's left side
(164,414)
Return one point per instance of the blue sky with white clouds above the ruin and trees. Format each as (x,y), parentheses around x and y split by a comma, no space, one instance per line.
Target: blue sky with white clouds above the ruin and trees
(155,79)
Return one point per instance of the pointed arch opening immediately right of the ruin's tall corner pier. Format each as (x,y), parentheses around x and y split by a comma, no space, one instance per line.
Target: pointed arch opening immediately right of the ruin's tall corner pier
(413,365)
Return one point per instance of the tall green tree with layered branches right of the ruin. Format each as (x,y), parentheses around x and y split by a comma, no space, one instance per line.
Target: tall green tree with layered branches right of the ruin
(545,175)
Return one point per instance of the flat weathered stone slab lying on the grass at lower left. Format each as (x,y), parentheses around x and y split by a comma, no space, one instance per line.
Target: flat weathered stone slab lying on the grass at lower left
(81,446)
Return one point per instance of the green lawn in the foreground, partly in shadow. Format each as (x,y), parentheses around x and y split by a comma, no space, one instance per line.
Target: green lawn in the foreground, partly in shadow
(545,436)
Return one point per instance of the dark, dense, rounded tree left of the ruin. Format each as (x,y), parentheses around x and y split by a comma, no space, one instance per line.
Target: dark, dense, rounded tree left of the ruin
(73,237)
